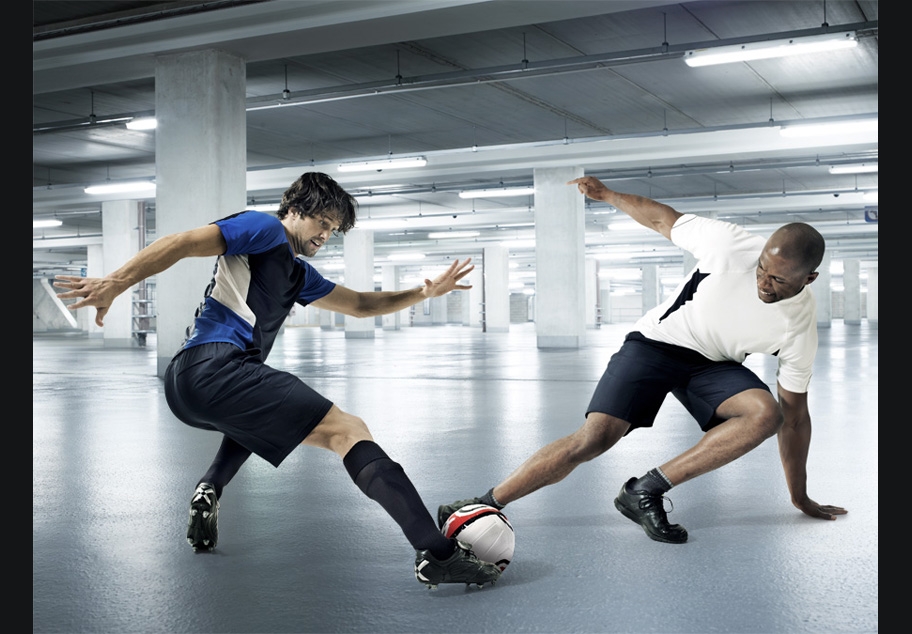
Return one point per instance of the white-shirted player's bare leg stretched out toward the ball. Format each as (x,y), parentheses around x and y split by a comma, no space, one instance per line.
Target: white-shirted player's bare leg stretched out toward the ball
(554,462)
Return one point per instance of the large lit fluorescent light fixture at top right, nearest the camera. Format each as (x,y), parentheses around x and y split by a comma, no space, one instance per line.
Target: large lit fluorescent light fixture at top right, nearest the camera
(772,48)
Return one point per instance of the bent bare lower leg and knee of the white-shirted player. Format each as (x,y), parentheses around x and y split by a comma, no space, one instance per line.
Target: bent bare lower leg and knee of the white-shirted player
(751,417)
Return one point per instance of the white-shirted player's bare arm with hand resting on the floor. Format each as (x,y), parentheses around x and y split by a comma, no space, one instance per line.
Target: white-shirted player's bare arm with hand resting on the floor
(794,442)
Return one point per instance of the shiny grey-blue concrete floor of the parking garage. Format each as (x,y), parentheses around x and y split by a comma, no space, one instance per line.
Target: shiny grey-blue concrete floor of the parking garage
(302,550)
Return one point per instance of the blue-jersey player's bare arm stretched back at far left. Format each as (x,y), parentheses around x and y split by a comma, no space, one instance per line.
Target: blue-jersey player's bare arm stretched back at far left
(155,258)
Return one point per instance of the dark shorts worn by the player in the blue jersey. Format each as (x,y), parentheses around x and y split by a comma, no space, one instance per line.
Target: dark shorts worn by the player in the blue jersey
(219,387)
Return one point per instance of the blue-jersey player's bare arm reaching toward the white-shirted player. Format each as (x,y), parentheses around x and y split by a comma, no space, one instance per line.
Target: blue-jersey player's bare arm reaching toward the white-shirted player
(369,304)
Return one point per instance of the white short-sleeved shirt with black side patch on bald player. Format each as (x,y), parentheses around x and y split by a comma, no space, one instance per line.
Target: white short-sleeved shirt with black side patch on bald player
(716,310)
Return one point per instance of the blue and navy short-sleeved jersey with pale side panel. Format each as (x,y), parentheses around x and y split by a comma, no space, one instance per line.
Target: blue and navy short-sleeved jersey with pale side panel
(256,283)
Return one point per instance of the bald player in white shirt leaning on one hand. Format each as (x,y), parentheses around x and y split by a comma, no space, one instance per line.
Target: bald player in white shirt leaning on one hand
(746,295)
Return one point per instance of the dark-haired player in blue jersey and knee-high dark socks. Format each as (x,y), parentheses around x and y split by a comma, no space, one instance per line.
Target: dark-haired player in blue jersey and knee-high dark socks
(219,379)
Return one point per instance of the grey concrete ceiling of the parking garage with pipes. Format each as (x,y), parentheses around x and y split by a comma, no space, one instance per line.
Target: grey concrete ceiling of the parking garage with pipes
(487,91)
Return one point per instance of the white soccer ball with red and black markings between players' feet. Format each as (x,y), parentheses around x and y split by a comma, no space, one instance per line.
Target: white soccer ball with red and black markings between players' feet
(487,530)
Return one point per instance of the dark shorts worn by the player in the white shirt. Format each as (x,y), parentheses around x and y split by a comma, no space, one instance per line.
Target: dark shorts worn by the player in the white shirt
(641,374)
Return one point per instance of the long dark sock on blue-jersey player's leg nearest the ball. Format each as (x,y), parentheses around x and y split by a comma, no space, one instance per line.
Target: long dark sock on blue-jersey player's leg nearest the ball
(385,482)
